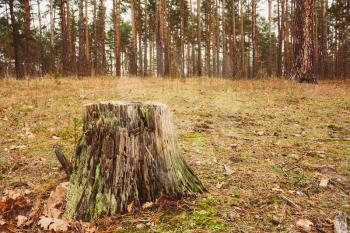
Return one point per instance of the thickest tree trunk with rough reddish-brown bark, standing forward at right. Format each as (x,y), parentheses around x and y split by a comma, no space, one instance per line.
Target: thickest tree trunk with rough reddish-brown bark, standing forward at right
(304,47)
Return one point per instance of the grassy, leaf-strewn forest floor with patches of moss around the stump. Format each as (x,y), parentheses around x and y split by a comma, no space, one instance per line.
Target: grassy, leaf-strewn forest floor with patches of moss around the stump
(273,154)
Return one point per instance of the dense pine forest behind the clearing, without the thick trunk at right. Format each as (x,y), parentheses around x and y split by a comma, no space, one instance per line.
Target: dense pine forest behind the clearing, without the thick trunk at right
(220,38)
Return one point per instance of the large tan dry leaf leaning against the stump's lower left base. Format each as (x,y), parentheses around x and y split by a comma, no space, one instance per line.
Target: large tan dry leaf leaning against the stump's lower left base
(55,203)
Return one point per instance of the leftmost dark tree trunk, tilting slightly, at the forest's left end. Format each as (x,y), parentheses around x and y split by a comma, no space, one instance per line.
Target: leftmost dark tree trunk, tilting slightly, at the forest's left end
(16,41)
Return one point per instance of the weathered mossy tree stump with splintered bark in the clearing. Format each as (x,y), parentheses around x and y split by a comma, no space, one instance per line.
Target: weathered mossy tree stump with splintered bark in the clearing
(126,156)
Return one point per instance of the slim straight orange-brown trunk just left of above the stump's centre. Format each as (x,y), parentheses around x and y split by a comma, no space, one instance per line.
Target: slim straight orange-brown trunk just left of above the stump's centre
(117,37)
